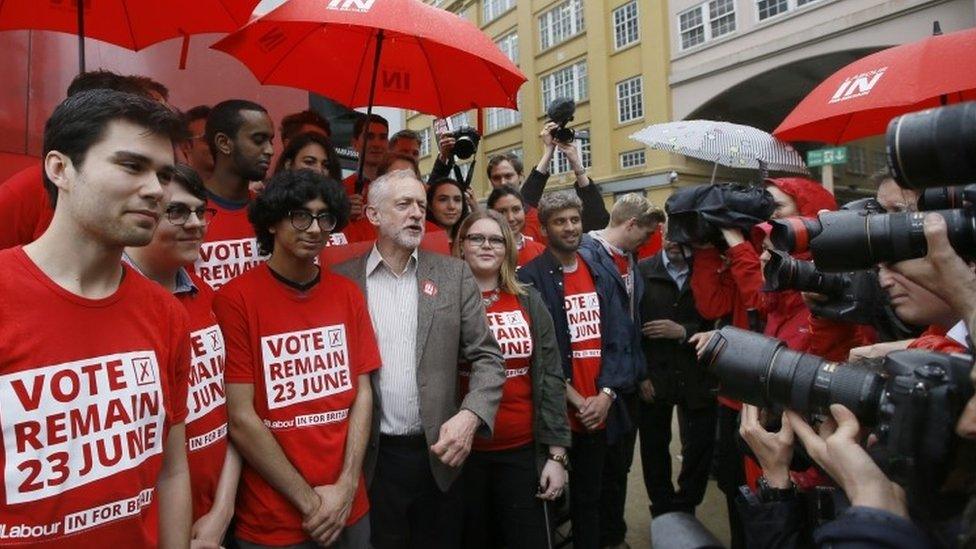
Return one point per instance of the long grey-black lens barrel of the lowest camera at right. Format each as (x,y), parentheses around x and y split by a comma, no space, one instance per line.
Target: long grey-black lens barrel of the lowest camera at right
(764,372)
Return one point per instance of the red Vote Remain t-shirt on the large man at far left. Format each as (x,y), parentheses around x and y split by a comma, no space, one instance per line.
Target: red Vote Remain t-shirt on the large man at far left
(90,389)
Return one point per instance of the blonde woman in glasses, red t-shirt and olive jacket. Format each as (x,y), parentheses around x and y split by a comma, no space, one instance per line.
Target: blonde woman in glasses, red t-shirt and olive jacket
(507,478)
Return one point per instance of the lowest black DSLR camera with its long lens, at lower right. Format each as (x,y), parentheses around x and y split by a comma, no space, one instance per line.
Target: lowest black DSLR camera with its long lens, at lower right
(911,405)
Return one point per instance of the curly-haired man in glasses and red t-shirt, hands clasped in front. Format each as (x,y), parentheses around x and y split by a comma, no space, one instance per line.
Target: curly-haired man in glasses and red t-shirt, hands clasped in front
(300,348)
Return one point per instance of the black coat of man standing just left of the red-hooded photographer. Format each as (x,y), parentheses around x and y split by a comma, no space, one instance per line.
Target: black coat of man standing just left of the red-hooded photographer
(672,365)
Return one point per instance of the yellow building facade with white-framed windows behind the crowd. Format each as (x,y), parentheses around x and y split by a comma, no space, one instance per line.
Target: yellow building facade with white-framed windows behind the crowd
(611,56)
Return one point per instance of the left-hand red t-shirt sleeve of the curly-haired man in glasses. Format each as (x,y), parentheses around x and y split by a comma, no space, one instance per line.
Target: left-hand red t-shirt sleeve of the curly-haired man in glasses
(232,317)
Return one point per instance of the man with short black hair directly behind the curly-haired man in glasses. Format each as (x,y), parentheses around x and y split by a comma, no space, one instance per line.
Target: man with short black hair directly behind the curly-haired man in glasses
(239,134)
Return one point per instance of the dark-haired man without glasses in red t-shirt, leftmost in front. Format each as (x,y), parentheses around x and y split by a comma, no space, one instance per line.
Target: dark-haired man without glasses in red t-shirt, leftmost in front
(93,357)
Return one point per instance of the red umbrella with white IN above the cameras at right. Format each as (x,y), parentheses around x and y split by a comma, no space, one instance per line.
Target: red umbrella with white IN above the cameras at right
(860,99)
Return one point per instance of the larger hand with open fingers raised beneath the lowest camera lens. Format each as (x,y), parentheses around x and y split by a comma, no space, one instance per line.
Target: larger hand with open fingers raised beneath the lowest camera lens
(837,449)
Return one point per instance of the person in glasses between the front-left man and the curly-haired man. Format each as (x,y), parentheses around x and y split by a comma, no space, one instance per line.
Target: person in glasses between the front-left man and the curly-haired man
(214,465)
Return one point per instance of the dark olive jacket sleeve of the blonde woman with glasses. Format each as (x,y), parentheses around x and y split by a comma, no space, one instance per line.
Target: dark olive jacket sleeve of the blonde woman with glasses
(550,424)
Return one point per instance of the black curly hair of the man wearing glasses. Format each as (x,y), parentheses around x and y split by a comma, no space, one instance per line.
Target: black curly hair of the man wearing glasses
(289,190)
